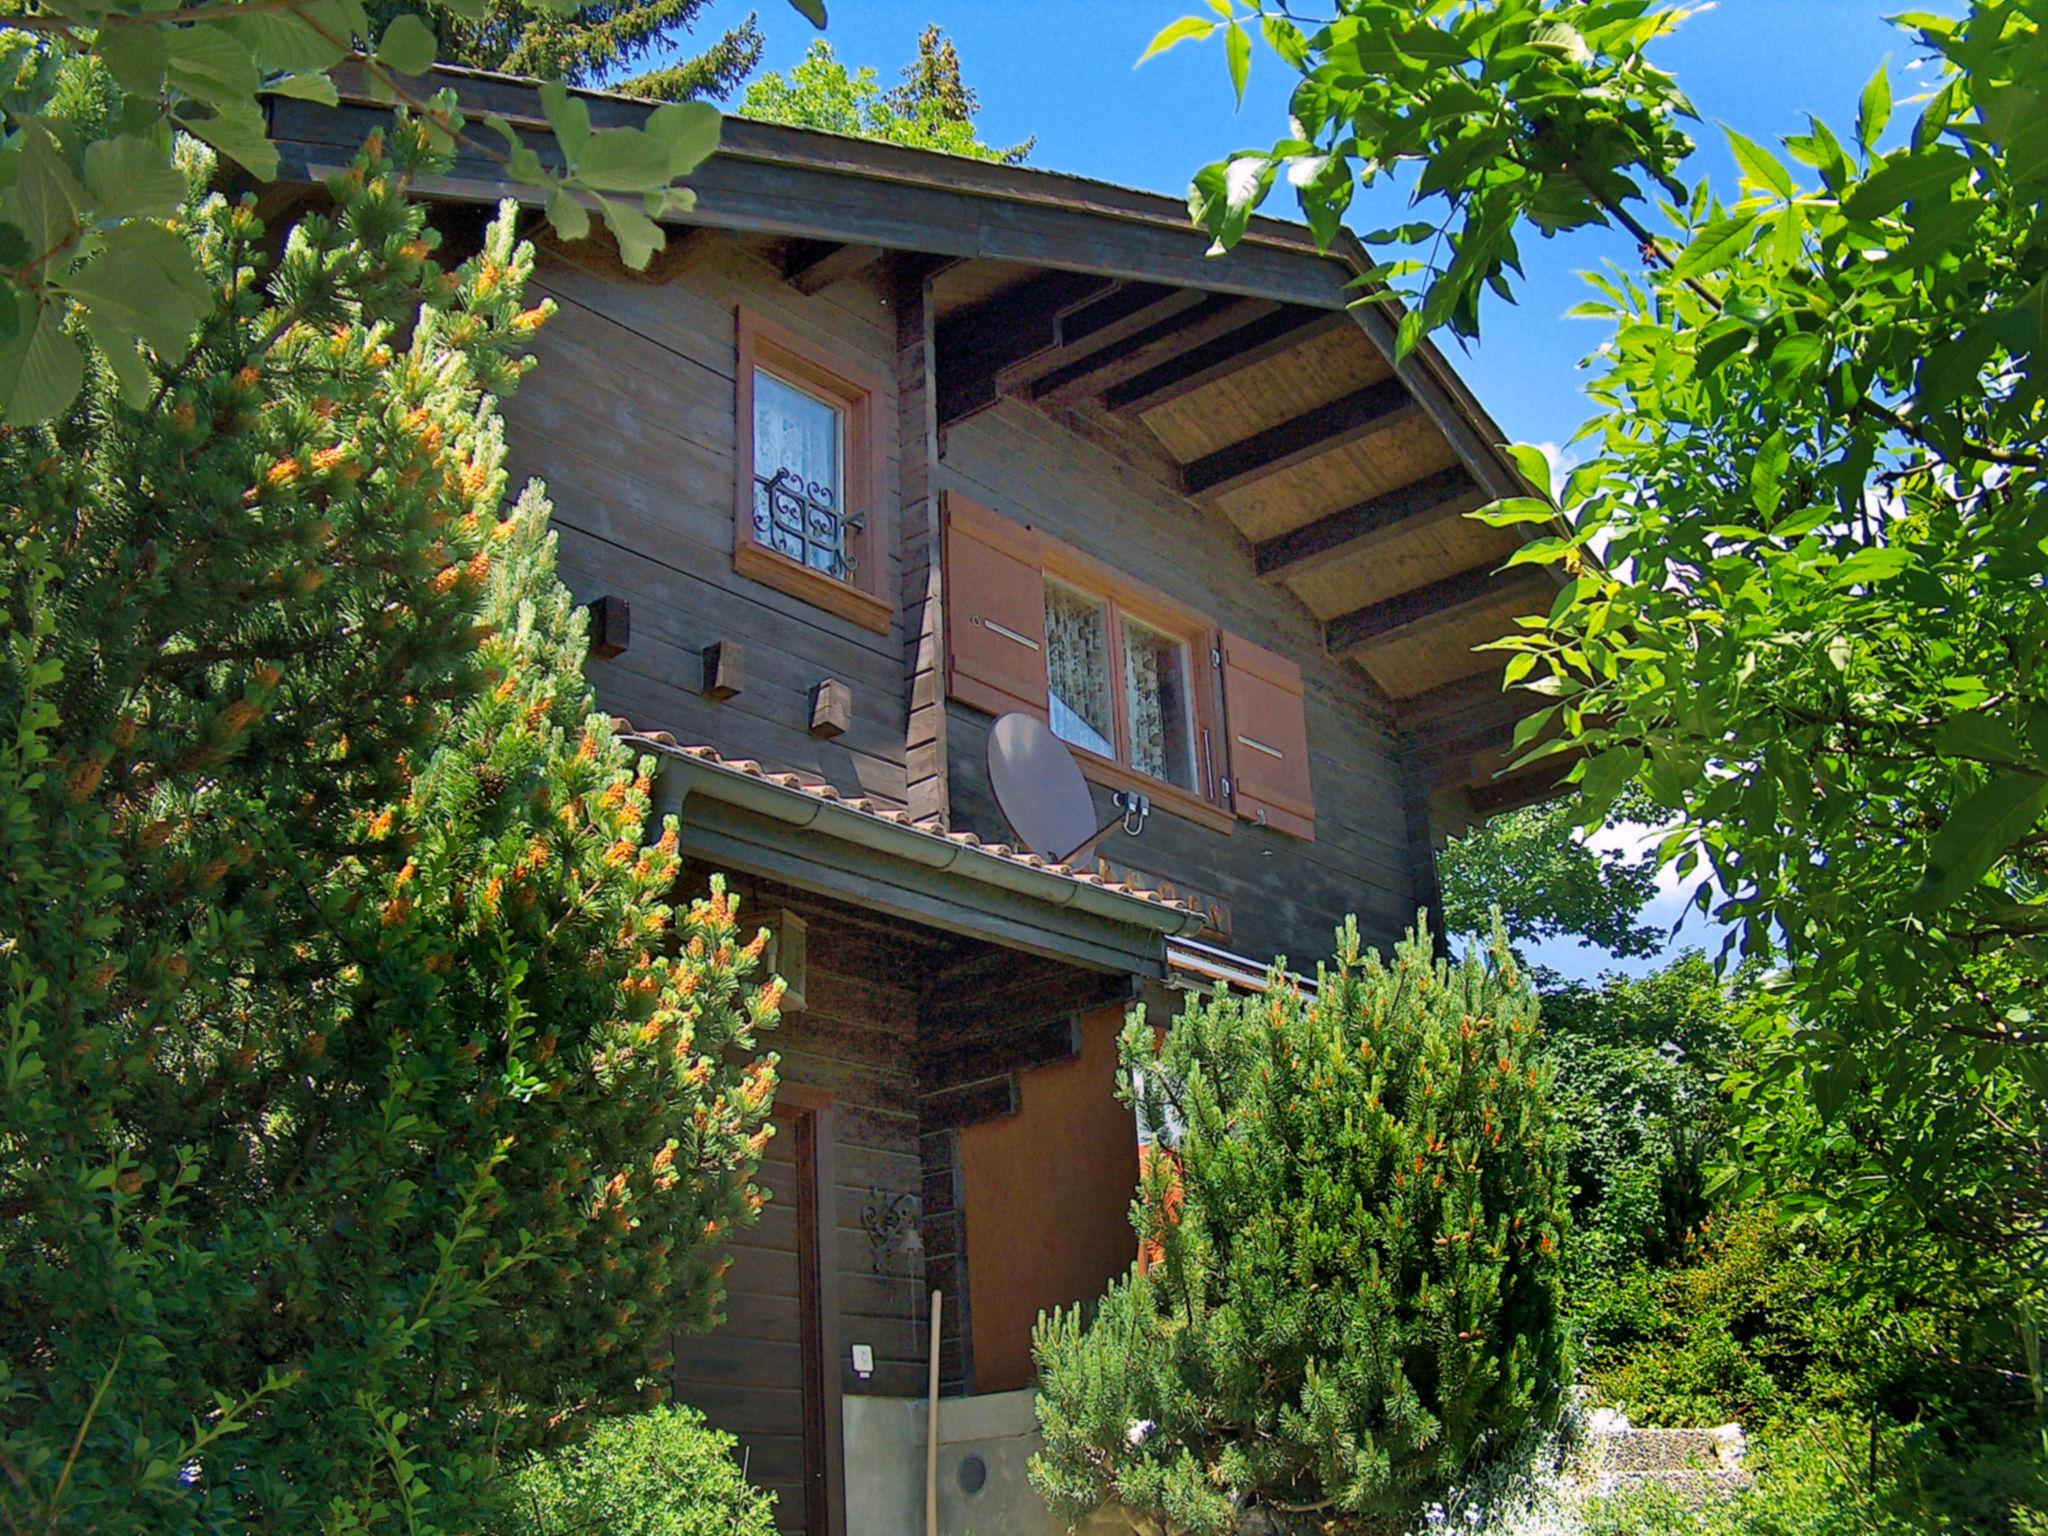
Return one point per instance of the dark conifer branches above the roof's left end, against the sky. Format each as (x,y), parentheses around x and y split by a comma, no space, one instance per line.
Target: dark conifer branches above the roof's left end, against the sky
(595,46)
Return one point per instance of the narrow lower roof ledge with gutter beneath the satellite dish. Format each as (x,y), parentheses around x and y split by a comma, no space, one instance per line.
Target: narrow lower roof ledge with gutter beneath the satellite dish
(759,826)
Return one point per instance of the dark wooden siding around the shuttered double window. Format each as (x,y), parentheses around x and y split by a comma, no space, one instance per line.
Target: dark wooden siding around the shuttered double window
(1287,896)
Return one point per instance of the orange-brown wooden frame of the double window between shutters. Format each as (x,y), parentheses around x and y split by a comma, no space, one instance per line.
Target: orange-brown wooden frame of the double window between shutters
(1123,595)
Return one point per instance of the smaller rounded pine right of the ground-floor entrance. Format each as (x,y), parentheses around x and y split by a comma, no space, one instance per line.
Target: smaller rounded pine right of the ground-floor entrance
(1357,1285)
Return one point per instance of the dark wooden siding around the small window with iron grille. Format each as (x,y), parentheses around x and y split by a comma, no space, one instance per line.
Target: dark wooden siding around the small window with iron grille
(630,423)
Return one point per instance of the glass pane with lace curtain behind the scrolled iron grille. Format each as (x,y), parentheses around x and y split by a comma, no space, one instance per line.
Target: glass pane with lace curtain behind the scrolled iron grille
(798,476)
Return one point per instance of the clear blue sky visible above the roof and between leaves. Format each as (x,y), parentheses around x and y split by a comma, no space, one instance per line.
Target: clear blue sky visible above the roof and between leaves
(1064,71)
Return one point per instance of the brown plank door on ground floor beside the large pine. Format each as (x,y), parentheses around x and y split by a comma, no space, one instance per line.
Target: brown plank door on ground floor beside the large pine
(763,1375)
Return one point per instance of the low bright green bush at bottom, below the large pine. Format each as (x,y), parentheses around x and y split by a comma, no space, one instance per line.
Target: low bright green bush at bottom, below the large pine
(663,1474)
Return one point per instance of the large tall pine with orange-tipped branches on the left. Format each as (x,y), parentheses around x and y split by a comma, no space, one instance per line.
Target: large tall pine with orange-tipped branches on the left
(368,1117)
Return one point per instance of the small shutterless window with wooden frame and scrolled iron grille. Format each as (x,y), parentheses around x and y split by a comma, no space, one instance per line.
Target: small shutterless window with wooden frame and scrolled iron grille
(810,474)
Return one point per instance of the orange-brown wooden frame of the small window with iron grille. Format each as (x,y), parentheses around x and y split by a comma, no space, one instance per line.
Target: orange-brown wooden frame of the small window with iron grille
(861,394)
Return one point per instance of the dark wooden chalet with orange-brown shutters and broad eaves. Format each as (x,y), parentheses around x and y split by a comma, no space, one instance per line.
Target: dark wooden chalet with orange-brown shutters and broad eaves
(888,445)
